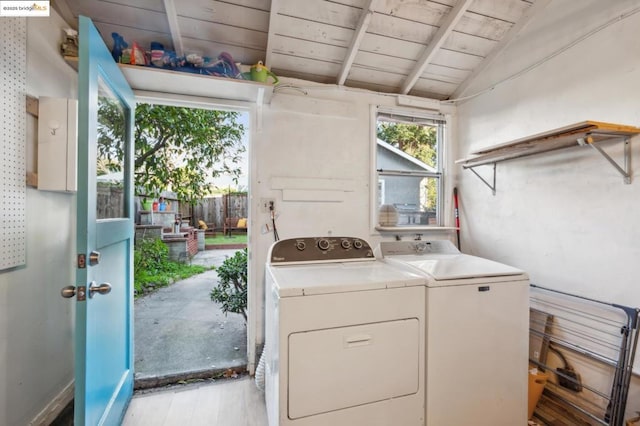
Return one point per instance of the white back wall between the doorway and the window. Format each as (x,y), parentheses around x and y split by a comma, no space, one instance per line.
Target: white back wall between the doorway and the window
(325,133)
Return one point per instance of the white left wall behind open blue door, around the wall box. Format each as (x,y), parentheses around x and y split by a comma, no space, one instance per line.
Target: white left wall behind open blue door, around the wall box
(36,324)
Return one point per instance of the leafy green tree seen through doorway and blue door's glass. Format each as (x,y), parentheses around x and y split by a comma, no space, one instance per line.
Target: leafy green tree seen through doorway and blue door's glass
(176,148)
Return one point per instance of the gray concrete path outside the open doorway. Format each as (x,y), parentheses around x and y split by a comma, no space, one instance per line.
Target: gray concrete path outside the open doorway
(181,334)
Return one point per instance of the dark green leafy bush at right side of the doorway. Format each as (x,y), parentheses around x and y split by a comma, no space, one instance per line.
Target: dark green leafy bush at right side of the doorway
(231,291)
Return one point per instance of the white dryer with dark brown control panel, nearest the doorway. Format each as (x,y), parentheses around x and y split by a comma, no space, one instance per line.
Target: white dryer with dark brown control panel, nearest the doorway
(344,341)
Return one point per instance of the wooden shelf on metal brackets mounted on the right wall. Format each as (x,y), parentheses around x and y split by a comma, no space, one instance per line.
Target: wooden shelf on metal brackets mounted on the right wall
(585,133)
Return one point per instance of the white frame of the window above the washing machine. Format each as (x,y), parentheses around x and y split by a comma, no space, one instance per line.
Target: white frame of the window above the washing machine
(440,174)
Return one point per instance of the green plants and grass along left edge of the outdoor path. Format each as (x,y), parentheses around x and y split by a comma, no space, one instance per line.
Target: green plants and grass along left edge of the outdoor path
(153,269)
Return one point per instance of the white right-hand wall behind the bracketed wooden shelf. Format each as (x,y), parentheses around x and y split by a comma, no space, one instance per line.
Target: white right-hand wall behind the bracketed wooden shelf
(564,217)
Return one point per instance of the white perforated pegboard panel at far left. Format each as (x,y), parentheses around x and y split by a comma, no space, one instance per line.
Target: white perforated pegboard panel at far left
(13,84)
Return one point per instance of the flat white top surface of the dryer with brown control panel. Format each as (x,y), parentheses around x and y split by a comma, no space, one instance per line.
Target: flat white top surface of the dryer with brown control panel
(325,278)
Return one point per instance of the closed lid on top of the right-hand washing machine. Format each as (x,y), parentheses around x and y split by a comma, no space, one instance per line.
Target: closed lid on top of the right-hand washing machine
(444,267)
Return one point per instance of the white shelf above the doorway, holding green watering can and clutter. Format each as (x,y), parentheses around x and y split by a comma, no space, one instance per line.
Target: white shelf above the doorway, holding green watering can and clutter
(183,83)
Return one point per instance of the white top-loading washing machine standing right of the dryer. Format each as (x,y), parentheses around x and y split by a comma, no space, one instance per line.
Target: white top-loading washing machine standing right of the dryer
(477,314)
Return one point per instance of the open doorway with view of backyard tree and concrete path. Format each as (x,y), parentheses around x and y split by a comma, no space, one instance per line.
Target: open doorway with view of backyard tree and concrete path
(201,214)
